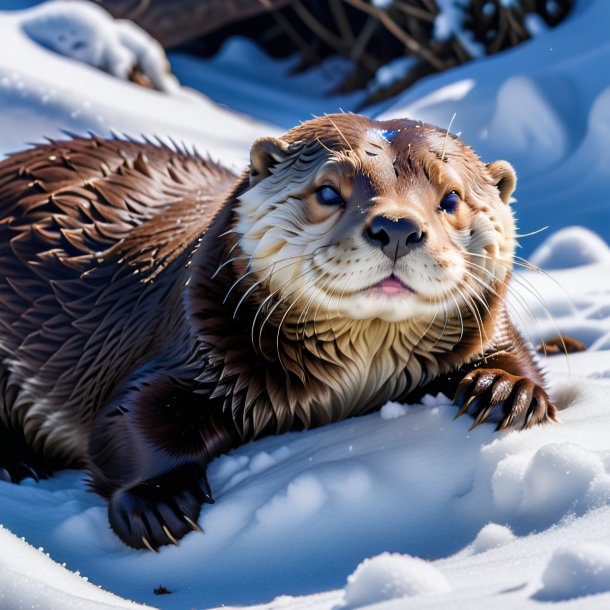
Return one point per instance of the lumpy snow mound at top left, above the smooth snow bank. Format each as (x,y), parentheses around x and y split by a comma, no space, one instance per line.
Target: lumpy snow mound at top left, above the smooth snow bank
(86,33)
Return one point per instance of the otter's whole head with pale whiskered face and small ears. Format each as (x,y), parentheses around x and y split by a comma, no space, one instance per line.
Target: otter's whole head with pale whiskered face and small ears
(360,219)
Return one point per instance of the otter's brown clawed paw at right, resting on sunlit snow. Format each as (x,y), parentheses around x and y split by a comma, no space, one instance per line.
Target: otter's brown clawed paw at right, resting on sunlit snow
(493,395)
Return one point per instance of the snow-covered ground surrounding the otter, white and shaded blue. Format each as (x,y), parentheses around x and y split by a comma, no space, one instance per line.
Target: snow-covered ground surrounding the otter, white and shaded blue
(404,503)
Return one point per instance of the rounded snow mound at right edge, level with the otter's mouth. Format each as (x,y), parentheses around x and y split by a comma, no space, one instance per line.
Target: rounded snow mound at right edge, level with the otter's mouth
(571,247)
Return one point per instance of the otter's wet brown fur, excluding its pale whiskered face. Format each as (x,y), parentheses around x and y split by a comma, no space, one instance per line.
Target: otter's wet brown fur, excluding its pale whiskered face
(118,333)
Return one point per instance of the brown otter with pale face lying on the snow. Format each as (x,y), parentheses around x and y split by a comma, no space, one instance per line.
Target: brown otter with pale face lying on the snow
(157,310)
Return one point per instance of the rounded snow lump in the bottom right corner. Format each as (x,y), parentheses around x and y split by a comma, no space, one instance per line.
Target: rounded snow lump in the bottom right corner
(575,572)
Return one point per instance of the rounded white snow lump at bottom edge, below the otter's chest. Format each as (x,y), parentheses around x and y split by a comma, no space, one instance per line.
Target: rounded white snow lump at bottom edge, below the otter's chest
(392,576)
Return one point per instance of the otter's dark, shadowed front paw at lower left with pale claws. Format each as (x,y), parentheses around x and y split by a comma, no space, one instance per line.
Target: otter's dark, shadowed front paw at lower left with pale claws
(158,511)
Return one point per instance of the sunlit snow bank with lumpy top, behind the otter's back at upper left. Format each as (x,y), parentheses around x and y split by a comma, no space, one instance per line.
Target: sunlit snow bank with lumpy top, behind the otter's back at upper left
(43,93)
